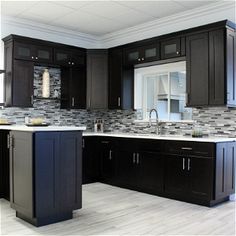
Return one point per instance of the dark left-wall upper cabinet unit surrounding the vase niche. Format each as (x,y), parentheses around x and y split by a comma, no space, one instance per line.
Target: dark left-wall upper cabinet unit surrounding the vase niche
(22,54)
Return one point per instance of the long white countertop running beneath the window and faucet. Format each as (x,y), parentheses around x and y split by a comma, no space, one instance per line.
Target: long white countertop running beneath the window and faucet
(162,137)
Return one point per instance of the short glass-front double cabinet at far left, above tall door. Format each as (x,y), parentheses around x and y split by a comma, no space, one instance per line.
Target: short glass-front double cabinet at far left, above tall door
(36,53)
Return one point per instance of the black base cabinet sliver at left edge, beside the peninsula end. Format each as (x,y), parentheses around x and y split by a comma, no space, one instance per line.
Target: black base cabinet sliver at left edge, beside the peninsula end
(4,165)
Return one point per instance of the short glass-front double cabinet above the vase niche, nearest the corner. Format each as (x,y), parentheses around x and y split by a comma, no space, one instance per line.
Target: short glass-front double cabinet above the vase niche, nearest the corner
(66,57)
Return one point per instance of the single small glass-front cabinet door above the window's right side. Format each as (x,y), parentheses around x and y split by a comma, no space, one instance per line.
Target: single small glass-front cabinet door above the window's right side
(170,48)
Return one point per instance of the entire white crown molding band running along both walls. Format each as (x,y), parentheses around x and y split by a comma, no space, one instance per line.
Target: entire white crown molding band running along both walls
(220,10)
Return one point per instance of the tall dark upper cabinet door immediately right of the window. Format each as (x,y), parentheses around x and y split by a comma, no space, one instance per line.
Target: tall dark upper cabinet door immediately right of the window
(197,69)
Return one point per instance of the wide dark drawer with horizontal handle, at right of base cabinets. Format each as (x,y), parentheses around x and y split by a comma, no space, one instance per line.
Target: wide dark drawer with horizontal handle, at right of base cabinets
(190,148)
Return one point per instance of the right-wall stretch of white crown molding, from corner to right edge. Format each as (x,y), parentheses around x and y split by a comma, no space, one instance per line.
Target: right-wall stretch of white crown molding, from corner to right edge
(180,21)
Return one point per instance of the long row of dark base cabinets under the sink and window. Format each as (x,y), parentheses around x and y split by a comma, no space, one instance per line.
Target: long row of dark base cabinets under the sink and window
(196,172)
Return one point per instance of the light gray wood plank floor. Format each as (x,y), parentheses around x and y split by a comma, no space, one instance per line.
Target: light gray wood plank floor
(109,210)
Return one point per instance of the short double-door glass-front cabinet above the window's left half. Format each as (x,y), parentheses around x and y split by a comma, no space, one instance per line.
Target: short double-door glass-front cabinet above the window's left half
(145,53)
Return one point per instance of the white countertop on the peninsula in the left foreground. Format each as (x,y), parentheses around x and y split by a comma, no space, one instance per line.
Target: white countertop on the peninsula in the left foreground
(41,128)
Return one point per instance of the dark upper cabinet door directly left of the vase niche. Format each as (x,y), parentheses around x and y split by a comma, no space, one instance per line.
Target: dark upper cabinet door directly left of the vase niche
(23,83)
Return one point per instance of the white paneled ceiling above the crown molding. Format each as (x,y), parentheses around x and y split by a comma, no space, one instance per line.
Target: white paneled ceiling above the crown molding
(96,17)
